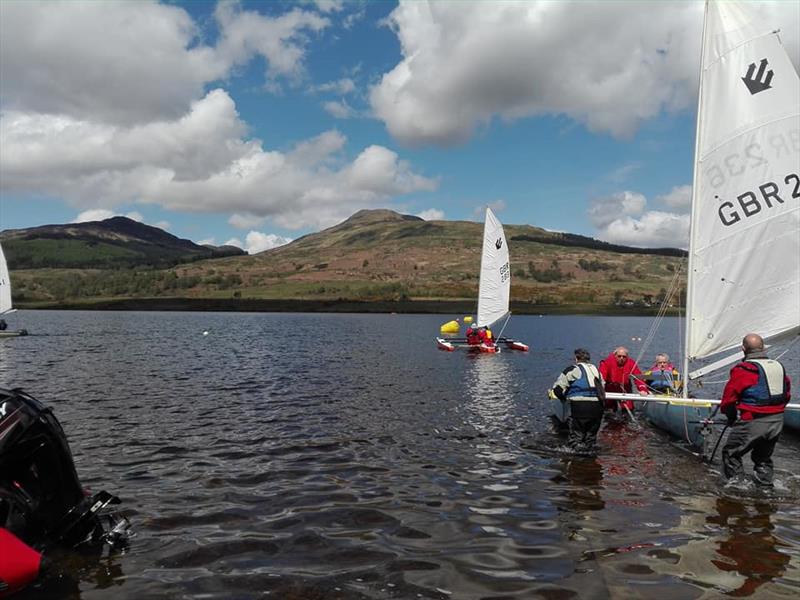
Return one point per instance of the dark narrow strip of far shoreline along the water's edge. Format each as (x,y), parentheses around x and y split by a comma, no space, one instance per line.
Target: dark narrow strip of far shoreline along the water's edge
(455,307)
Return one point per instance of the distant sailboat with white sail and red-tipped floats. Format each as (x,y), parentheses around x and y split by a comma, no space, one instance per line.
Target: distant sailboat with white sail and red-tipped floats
(494,290)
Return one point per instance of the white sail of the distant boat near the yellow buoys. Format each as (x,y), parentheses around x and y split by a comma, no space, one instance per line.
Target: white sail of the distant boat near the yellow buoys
(494,289)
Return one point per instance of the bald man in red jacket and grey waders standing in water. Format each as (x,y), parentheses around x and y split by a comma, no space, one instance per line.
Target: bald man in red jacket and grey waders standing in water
(754,400)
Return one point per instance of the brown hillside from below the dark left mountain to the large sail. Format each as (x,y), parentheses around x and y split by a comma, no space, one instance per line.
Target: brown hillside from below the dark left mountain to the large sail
(379,256)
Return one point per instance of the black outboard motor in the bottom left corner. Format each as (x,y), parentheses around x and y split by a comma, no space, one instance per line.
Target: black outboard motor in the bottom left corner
(41,499)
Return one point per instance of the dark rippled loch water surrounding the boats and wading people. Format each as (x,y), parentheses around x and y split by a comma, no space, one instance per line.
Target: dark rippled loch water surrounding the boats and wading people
(344,457)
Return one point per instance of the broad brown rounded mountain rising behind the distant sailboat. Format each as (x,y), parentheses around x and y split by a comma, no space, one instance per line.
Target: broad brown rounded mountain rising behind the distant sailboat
(382,255)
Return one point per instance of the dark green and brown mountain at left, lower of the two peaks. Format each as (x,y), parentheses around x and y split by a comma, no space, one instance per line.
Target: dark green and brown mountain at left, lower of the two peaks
(117,242)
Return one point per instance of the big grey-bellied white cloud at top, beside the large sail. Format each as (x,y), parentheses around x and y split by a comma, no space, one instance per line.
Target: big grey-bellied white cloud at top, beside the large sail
(465,63)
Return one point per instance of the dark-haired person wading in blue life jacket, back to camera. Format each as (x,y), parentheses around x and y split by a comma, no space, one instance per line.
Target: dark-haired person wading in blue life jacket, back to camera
(581,385)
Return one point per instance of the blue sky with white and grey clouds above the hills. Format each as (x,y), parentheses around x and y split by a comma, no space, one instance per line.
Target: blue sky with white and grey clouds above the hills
(254,123)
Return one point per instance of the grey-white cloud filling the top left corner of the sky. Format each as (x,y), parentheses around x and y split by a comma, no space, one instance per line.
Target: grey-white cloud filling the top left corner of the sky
(134,62)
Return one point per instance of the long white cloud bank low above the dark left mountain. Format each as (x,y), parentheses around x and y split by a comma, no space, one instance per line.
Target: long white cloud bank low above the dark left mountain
(199,162)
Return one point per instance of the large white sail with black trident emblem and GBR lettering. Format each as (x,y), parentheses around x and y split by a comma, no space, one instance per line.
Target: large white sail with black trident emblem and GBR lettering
(744,250)
